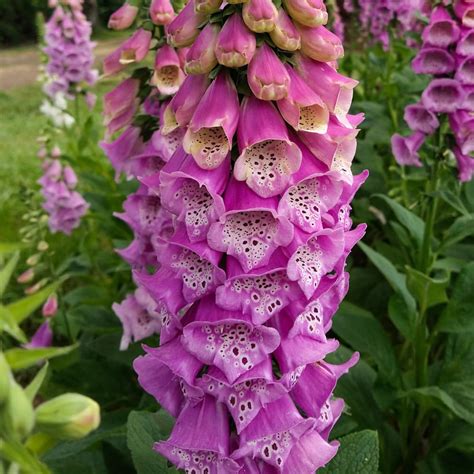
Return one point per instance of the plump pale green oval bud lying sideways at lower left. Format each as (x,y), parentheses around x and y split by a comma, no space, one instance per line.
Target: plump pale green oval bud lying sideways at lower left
(68,416)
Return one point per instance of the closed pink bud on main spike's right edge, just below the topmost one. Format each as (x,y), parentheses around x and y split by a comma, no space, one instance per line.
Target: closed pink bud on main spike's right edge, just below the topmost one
(320,44)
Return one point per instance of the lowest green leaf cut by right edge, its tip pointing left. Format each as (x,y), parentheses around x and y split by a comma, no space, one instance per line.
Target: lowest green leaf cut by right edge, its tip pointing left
(458,397)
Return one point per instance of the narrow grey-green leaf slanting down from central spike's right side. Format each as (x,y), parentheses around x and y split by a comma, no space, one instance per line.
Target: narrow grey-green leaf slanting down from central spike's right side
(396,280)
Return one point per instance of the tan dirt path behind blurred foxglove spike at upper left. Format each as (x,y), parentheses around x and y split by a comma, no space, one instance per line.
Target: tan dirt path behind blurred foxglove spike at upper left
(19,67)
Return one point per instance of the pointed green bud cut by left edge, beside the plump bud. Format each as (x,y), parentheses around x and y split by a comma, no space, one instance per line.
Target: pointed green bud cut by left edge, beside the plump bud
(16,415)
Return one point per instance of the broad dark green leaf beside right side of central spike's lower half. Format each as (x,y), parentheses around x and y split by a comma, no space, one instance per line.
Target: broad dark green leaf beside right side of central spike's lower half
(365,334)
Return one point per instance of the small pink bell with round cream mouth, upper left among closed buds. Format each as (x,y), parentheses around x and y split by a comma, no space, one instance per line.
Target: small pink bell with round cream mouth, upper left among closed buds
(168,75)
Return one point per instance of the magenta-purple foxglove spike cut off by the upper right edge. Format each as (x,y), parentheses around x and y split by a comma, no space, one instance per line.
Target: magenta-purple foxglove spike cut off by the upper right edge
(447,54)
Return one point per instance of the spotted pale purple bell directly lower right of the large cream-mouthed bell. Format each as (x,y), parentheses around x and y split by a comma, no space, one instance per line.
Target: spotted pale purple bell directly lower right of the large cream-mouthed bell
(305,203)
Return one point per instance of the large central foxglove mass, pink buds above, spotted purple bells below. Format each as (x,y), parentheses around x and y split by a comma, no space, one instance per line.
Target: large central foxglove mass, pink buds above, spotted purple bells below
(242,142)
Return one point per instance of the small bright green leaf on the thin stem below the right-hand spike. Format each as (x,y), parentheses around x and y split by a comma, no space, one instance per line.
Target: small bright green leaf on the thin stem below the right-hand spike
(428,291)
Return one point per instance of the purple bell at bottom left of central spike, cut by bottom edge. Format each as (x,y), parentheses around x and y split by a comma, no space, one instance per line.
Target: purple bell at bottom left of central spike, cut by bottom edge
(204,446)
